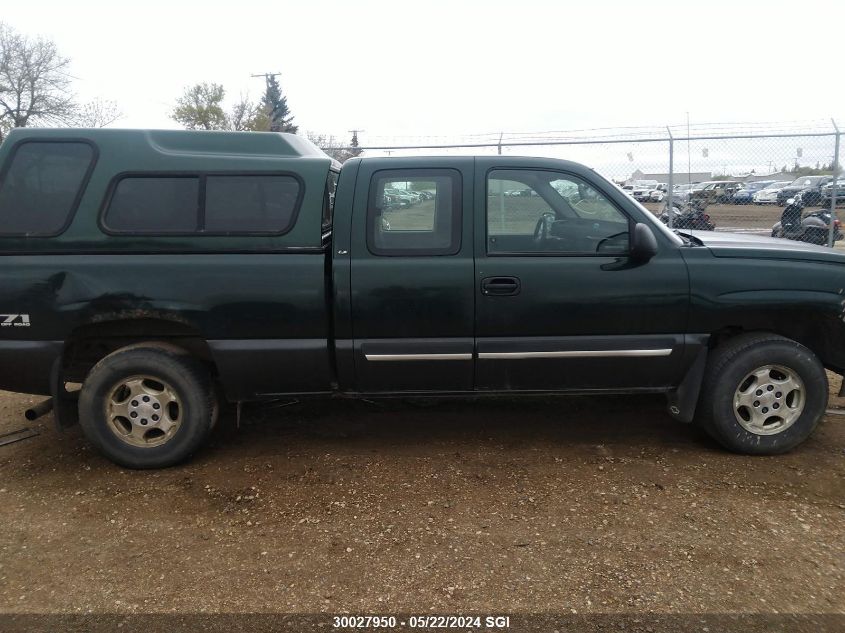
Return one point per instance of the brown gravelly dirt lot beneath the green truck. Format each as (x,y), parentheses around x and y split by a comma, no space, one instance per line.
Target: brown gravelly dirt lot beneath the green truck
(558,504)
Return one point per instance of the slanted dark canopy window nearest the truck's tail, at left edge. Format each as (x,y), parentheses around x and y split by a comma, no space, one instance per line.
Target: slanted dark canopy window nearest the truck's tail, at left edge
(41,185)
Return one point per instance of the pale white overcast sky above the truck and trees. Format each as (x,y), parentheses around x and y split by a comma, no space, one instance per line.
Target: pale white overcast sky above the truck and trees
(443,68)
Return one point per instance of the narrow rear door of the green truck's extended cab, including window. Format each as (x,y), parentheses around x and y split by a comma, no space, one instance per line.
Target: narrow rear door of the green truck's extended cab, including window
(411,286)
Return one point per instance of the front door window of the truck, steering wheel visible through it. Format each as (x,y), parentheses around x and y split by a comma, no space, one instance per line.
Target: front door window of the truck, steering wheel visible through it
(532,211)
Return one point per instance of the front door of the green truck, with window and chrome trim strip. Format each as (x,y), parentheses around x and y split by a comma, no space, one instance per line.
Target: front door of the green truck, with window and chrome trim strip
(560,305)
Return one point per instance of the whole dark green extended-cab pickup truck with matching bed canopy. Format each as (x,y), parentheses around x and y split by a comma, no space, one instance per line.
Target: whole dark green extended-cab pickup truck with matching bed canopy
(168,271)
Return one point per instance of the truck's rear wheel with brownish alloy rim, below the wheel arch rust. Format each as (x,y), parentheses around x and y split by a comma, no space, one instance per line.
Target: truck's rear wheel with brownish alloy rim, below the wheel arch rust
(162,388)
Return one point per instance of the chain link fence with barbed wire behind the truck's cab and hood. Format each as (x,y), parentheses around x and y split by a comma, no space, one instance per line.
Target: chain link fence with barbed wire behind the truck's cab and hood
(739,176)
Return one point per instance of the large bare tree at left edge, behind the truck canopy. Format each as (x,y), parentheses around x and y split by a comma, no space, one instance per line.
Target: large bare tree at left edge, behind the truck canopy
(34,82)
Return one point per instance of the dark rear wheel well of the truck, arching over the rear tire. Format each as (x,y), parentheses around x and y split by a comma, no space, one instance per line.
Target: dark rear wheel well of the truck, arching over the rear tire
(88,344)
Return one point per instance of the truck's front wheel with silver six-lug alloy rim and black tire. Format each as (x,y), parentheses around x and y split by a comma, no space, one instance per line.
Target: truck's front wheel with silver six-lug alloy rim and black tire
(730,367)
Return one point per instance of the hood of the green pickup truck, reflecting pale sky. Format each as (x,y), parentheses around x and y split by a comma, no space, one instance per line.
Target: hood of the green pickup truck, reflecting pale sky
(723,244)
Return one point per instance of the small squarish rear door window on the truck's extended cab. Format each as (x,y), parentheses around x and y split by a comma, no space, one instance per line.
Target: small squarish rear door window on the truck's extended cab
(415,212)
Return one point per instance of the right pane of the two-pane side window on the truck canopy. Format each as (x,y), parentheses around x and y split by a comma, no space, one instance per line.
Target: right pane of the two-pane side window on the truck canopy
(250,204)
